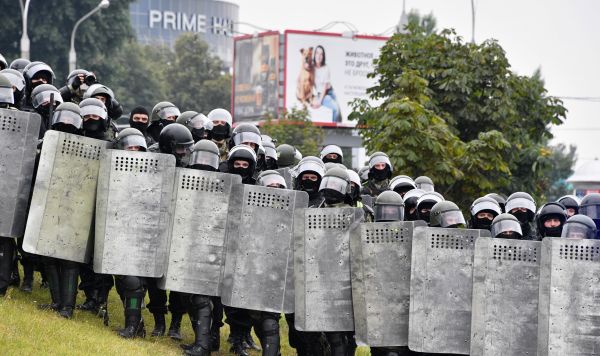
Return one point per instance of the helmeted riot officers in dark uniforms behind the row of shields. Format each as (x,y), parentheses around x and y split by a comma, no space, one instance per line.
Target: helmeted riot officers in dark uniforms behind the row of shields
(85,107)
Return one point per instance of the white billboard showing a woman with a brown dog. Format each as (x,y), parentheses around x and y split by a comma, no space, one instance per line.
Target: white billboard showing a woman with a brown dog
(326,71)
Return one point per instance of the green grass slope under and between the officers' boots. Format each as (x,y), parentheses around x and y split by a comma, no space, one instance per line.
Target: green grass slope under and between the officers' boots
(26,330)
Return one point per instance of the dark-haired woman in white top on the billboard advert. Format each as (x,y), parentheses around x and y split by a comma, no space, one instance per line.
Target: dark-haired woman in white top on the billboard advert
(323,89)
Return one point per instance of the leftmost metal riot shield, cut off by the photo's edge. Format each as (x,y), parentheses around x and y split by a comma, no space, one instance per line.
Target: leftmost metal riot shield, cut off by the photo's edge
(18,146)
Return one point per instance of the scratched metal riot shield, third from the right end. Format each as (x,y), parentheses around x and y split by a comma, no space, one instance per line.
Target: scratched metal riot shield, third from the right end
(441,286)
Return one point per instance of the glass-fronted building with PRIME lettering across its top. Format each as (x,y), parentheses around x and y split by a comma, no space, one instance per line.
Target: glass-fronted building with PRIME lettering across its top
(163,21)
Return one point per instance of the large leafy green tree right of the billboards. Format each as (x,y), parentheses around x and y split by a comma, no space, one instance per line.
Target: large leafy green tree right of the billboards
(455,111)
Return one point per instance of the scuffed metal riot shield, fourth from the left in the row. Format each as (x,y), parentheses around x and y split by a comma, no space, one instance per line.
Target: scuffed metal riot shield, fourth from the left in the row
(196,252)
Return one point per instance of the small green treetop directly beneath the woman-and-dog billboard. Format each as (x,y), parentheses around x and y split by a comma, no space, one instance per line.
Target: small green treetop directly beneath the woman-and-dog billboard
(295,128)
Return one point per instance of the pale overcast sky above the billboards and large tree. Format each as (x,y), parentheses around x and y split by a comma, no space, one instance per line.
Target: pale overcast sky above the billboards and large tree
(561,37)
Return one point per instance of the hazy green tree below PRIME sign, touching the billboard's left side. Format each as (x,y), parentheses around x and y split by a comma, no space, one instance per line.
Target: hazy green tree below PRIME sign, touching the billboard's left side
(195,79)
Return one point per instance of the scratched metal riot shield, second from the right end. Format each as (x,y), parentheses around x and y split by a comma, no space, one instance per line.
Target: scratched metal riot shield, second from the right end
(506,275)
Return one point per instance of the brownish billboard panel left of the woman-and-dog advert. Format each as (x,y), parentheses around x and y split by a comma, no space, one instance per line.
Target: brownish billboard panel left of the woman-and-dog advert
(256,76)
